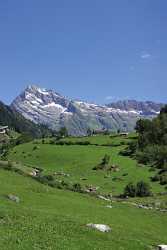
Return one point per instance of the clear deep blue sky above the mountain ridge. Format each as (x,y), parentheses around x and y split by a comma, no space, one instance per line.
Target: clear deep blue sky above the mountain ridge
(95,50)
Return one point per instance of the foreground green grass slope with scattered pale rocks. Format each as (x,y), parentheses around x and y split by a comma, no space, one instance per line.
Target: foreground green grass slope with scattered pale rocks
(52,219)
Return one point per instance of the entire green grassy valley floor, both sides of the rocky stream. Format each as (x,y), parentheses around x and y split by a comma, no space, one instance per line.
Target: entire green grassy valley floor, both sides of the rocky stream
(48,218)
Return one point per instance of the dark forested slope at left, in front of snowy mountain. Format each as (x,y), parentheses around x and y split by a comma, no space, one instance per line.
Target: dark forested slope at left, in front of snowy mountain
(19,123)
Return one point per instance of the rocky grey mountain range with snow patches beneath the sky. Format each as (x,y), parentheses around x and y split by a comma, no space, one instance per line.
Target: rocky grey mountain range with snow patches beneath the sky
(54,110)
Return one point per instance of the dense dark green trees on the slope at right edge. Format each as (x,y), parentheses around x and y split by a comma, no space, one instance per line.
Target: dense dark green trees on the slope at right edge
(151,146)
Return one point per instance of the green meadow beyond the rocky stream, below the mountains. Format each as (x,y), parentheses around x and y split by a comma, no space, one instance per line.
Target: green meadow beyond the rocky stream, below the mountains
(78,161)
